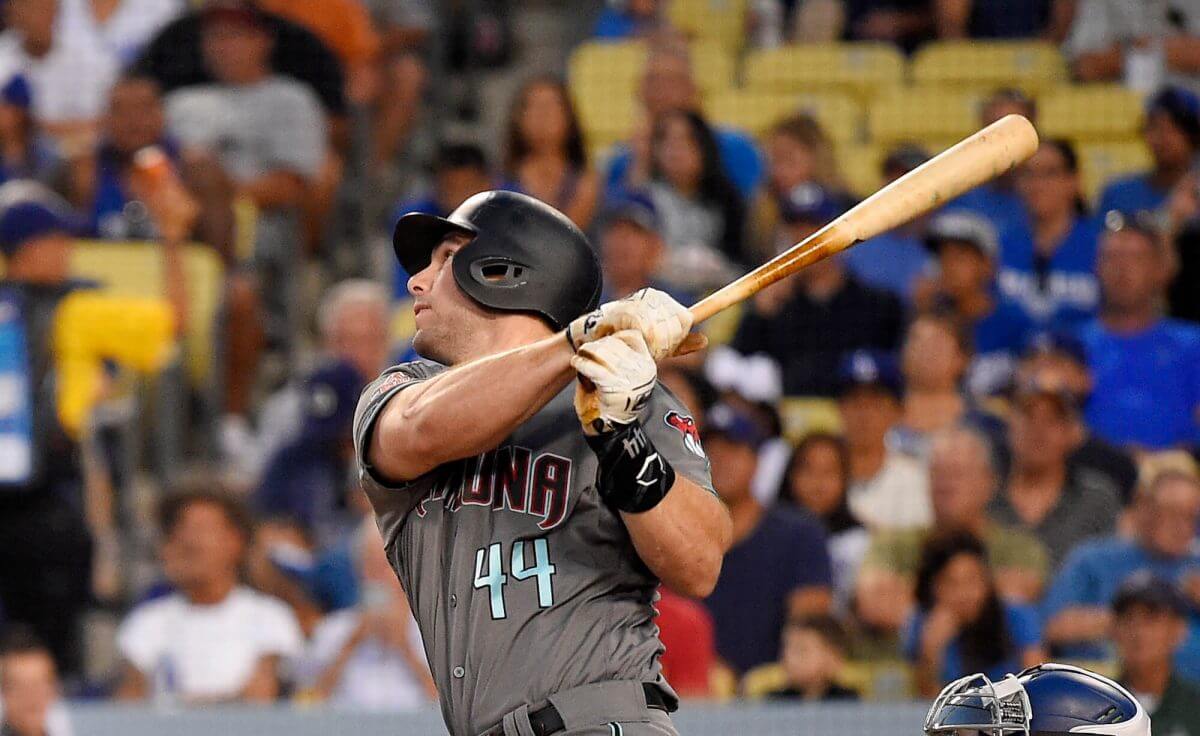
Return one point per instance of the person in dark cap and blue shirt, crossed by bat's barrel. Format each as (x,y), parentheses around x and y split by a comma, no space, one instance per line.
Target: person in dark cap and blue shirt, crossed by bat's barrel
(896,261)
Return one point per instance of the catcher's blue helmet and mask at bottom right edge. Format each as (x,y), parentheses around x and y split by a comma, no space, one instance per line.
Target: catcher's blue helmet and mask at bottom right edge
(1047,701)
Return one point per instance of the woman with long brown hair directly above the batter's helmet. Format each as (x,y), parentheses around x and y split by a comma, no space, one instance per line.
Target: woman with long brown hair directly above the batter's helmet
(545,155)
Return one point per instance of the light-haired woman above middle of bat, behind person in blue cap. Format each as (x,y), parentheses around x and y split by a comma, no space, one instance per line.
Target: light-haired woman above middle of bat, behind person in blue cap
(799,152)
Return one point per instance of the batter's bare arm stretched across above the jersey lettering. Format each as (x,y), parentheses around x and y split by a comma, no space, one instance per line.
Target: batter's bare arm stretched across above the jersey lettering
(470,409)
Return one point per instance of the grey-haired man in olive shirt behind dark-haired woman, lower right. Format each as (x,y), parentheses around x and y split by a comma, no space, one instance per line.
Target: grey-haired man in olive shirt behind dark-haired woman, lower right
(963,481)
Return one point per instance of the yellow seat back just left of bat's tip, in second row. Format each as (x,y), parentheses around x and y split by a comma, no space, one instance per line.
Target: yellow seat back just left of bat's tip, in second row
(923,113)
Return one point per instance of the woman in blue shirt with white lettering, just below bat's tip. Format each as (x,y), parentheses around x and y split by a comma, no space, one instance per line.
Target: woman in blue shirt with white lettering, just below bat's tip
(1049,271)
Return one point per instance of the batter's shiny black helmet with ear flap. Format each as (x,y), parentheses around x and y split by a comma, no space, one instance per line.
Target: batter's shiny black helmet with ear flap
(525,256)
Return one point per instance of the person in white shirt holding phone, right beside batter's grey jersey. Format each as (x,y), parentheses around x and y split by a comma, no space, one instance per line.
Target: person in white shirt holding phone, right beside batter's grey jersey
(370,657)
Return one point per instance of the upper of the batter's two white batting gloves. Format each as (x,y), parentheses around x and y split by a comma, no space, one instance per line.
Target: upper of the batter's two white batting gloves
(662,321)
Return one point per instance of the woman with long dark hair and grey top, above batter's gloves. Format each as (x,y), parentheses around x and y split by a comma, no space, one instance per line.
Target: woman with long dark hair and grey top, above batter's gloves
(703,214)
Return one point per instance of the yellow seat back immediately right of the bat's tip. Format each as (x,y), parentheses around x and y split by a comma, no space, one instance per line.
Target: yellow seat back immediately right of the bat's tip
(1090,113)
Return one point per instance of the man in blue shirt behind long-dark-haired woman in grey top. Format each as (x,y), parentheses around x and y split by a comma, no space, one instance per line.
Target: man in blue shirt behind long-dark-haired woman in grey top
(669,86)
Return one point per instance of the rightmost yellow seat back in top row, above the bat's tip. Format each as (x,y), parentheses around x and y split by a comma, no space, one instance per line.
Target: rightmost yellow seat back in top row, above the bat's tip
(989,65)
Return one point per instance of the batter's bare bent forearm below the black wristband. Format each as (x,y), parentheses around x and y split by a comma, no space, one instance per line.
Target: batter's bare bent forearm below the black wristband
(685,538)
